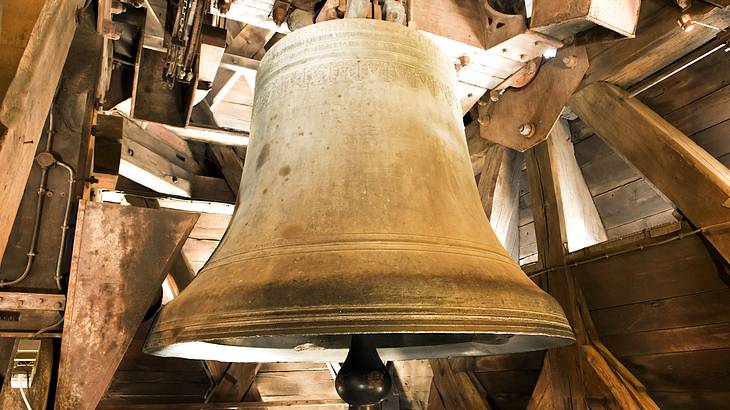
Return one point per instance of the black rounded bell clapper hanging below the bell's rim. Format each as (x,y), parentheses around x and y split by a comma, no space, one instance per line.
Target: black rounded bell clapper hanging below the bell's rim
(363,379)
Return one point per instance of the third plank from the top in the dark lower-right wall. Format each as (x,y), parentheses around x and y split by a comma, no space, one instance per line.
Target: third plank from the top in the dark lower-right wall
(684,339)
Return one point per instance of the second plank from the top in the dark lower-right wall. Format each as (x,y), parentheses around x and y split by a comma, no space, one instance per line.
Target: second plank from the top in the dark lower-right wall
(690,310)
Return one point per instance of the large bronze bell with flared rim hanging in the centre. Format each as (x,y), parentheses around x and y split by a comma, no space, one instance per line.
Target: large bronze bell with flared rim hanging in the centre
(357,214)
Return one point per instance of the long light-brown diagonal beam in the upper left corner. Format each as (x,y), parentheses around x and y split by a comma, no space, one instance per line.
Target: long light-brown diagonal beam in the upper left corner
(28,99)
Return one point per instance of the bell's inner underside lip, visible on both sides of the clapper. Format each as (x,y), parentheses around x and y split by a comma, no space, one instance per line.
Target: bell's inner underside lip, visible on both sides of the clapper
(206,350)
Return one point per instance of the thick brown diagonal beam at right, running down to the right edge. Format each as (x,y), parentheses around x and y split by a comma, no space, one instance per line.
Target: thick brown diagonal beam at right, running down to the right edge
(689,176)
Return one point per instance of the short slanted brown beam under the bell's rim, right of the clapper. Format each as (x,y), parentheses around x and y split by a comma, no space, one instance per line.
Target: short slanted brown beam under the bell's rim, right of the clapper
(457,390)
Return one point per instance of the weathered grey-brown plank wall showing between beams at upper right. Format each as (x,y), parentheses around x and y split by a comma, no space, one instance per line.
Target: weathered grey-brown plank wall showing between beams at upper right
(697,101)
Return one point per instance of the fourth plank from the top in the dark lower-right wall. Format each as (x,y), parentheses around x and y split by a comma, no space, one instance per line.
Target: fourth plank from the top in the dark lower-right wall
(698,371)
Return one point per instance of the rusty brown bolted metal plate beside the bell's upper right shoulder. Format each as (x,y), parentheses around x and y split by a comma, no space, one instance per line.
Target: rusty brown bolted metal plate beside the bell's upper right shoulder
(522,118)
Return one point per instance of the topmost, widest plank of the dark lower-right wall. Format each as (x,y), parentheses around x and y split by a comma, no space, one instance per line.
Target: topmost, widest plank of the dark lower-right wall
(655,273)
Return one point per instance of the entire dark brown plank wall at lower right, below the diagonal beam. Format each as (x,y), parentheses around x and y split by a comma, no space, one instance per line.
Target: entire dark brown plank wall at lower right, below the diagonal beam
(665,313)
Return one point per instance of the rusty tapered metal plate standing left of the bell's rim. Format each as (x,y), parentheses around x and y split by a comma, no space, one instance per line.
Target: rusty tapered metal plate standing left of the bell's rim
(121,256)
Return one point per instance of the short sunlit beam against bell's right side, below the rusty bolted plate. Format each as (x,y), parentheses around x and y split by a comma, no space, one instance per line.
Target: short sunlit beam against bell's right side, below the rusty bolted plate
(500,192)
